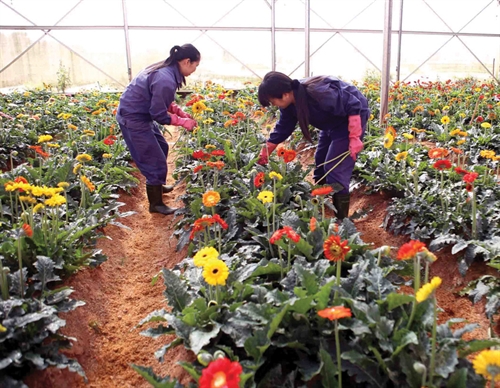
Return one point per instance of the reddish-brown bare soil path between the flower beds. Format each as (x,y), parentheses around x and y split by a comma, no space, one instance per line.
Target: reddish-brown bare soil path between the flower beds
(119,293)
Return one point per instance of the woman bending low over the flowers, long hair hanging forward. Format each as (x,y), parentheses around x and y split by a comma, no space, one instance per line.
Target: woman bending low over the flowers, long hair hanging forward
(335,107)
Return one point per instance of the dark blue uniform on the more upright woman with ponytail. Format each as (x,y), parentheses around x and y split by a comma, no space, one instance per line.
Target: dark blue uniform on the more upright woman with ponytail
(143,105)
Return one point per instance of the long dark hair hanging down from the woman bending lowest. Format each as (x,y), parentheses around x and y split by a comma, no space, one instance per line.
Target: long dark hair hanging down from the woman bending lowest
(275,84)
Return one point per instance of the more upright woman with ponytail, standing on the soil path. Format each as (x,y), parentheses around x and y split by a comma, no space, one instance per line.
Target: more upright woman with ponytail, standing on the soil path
(148,101)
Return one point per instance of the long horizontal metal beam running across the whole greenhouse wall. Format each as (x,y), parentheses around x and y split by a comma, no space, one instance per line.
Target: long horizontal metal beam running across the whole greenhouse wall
(278,29)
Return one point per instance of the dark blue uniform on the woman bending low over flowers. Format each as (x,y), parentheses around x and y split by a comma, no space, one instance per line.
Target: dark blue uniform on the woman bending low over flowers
(330,103)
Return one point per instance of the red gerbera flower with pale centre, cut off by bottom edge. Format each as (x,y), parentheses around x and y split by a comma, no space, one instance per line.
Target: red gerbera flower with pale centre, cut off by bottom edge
(221,373)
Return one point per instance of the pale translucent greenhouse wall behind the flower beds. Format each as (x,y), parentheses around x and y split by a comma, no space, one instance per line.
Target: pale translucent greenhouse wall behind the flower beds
(440,39)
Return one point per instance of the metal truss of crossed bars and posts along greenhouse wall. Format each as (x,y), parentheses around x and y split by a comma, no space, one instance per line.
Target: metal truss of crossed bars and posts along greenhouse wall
(386,32)
